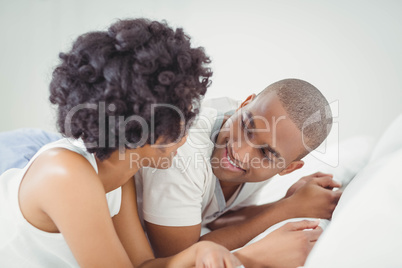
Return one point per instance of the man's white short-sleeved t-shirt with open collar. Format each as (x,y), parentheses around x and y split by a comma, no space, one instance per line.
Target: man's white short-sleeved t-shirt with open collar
(189,193)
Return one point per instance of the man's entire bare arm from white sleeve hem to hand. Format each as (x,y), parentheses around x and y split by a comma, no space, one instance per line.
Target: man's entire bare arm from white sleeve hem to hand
(313,199)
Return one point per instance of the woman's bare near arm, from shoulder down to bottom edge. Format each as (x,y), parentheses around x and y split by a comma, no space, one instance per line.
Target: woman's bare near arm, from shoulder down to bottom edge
(73,197)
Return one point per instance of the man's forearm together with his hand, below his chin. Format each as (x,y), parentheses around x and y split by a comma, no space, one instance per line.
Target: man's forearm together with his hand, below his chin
(314,198)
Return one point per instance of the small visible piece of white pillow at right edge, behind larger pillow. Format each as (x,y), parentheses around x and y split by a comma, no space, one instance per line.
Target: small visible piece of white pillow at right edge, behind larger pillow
(390,141)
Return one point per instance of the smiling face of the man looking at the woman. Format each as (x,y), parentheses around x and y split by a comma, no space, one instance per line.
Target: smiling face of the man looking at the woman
(256,143)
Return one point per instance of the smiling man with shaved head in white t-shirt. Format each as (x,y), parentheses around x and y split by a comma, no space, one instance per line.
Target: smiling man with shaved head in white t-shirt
(219,172)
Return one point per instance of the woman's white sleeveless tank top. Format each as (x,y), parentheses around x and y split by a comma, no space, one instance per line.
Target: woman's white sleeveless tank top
(22,244)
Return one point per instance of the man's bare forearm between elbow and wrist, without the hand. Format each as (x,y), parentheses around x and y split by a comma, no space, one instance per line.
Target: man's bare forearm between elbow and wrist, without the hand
(254,222)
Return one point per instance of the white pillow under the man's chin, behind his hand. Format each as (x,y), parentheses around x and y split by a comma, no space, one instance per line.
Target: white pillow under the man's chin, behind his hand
(343,160)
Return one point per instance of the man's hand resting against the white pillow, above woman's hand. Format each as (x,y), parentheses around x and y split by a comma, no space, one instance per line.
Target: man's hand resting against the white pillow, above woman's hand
(312,196)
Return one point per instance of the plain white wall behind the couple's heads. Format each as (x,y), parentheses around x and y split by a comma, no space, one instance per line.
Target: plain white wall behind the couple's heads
(351,50)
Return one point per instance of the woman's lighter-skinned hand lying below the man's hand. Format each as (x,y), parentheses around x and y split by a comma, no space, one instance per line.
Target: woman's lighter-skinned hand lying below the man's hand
(287,246)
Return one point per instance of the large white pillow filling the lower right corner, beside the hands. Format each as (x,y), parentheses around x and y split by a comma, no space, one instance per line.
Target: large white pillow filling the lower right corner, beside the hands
(366,228)
